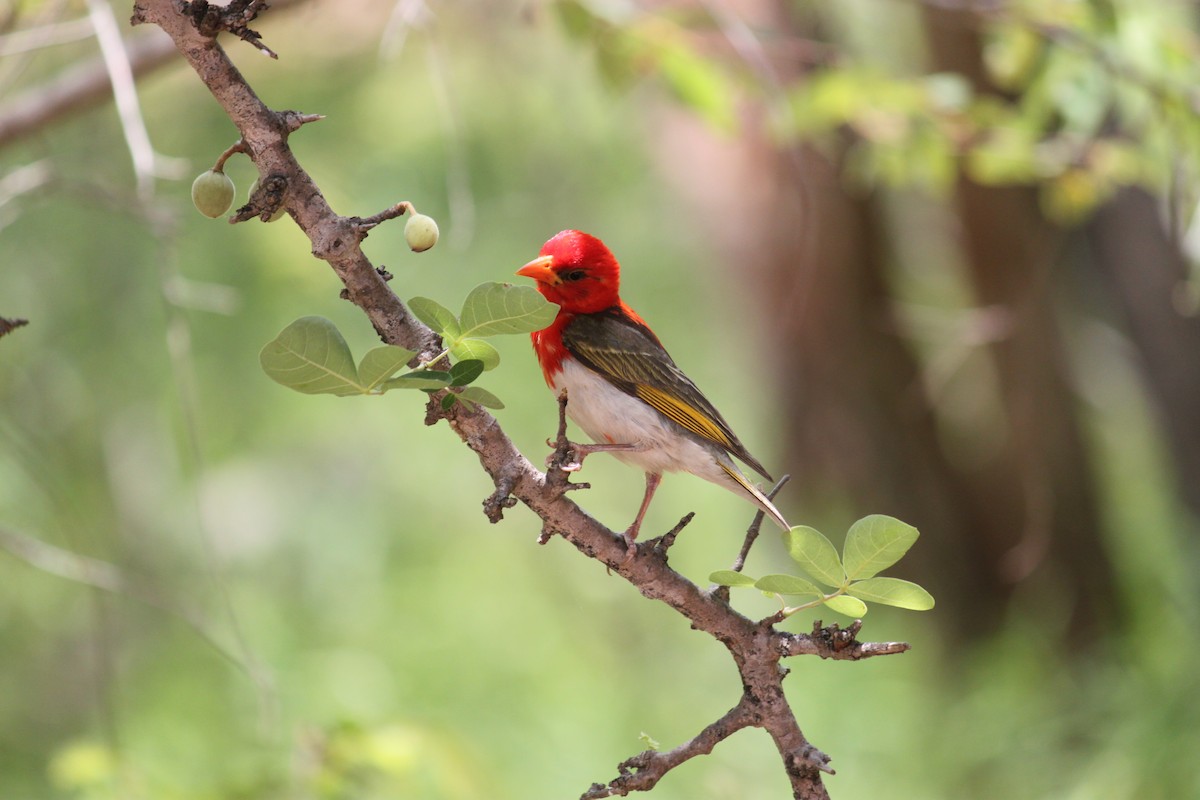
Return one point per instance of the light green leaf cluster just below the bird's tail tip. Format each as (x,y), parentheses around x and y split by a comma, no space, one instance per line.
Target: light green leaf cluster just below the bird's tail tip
(873,545)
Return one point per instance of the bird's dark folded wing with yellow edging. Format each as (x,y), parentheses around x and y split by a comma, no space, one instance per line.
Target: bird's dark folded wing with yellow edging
(629,357)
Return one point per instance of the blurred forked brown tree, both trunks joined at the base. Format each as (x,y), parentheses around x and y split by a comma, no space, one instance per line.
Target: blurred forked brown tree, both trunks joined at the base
(859,426)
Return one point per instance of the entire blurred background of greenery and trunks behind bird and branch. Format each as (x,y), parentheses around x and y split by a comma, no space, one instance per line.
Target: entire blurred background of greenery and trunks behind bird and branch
(934,260)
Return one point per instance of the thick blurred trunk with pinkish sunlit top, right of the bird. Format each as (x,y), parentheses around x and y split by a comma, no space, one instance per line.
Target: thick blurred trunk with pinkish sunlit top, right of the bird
(859,429)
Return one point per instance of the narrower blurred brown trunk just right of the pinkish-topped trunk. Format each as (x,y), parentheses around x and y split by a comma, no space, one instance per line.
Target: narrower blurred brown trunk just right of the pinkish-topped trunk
(1045,483)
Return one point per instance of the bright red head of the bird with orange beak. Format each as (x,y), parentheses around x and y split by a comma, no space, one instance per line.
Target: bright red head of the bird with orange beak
(578,273)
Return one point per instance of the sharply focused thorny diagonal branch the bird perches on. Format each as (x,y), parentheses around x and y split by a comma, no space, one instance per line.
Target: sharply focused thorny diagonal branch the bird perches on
(757,648)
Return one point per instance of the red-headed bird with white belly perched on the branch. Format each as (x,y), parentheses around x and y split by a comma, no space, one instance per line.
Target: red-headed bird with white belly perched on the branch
(622,387)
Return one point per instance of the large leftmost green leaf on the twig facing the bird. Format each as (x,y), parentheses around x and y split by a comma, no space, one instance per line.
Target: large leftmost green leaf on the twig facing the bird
(311,357)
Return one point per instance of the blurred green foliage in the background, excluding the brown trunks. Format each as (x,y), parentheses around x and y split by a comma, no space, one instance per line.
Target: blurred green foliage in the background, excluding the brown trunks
(334,618)
